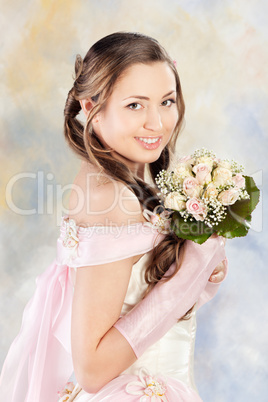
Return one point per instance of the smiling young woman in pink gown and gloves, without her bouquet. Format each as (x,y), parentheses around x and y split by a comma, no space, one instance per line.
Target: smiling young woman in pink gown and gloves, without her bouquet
(130,93)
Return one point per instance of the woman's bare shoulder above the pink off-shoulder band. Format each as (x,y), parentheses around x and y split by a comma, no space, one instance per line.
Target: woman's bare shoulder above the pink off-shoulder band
(96,199)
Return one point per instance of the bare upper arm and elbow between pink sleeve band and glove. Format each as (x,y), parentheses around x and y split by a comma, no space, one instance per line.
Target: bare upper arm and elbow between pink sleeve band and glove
(99,352)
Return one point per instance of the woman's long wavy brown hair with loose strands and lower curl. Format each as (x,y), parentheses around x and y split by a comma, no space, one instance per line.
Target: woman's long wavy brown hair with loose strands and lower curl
(95,78)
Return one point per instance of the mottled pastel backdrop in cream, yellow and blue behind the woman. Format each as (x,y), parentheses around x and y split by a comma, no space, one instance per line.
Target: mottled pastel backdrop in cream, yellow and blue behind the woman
(221,52)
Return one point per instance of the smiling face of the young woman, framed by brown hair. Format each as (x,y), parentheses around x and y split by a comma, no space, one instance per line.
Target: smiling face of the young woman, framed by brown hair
(140,115)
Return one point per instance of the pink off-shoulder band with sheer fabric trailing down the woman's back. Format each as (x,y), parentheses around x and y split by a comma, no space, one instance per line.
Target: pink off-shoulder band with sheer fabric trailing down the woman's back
(39,361)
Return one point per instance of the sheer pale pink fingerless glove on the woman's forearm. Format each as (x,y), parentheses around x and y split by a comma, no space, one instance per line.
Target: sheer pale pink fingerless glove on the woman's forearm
(168,301)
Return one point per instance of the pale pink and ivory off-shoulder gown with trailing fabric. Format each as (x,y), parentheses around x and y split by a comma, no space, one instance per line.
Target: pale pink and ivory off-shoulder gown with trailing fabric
(39,362)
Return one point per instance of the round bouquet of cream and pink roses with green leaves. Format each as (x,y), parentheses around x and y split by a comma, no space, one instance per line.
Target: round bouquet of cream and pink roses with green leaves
(206,195)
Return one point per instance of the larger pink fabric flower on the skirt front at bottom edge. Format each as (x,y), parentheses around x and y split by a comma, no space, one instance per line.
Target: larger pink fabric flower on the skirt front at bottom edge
(149,388)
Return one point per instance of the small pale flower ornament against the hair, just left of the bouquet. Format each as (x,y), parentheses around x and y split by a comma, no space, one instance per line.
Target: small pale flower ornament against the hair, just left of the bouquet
(158,219)
